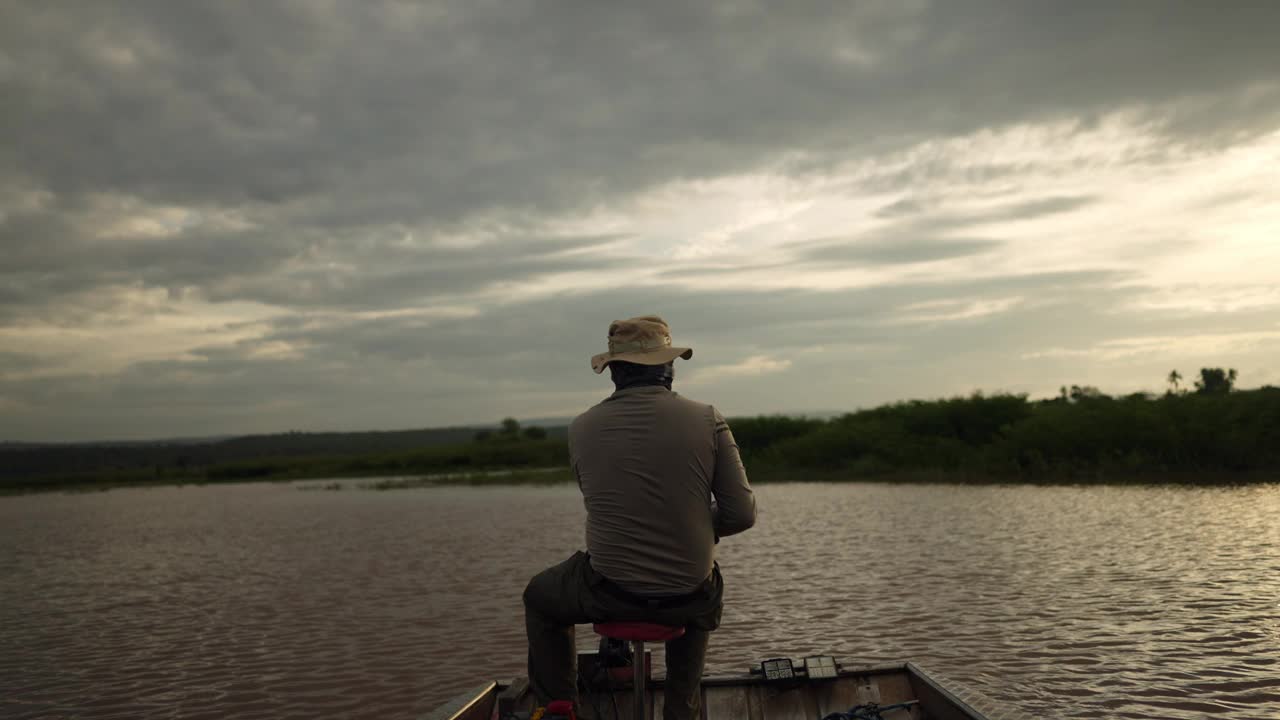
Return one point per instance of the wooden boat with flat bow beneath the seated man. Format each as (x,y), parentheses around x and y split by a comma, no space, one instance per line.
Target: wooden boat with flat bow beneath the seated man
(885,692)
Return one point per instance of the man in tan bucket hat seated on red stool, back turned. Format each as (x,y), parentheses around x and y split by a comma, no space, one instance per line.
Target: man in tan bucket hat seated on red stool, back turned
(651,464)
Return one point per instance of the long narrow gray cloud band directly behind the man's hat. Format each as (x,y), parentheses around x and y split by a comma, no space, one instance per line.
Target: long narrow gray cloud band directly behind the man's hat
(550,340)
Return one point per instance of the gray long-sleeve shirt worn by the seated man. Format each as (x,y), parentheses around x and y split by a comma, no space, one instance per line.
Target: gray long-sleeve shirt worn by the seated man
(650,463)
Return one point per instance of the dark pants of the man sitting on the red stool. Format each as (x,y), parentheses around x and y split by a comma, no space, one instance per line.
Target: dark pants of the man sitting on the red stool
(574,594)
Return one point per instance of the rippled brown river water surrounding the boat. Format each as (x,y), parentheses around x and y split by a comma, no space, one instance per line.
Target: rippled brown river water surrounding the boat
(267,601)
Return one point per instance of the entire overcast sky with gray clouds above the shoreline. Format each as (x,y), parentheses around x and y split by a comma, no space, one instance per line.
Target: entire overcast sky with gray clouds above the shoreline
(259,217)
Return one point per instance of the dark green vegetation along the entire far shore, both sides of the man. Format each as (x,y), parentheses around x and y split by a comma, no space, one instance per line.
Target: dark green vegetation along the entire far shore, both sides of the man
(1214,435)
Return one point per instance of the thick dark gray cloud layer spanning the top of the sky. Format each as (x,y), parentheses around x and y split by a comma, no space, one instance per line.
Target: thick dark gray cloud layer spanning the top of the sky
(388,112)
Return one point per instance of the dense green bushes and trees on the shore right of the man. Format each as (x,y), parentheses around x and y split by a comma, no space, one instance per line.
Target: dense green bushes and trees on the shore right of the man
(1082,435)
